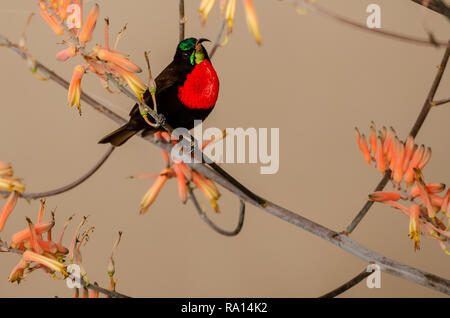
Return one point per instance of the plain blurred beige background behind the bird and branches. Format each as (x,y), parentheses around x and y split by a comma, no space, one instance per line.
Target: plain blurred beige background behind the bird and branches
(312,77)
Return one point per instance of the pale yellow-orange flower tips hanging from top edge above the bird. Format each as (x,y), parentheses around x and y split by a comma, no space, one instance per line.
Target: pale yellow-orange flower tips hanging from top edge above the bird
(228,11)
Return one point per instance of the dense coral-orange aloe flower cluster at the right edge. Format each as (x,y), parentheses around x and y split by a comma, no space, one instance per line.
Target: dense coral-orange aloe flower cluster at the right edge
(426,204)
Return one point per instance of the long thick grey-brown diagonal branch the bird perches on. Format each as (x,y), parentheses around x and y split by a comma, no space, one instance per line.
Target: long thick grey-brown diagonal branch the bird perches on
(342,241)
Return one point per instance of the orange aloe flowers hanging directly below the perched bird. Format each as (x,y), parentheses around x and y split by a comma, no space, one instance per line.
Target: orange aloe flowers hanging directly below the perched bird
(184,175)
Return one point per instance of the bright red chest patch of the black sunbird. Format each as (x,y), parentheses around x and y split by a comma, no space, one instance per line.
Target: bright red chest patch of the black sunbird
(201,88)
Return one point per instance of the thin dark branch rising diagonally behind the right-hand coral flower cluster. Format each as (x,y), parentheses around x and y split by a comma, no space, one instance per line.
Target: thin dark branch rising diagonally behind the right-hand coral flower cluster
(428,104)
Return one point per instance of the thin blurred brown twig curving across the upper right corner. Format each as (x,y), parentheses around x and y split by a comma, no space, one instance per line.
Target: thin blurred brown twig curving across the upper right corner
(314,7)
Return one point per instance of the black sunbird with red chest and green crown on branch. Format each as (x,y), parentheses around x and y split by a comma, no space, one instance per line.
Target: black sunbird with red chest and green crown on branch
(186,90)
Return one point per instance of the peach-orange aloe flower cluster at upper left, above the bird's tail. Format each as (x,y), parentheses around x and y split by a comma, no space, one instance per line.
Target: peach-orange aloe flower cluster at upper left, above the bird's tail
(65,17)
